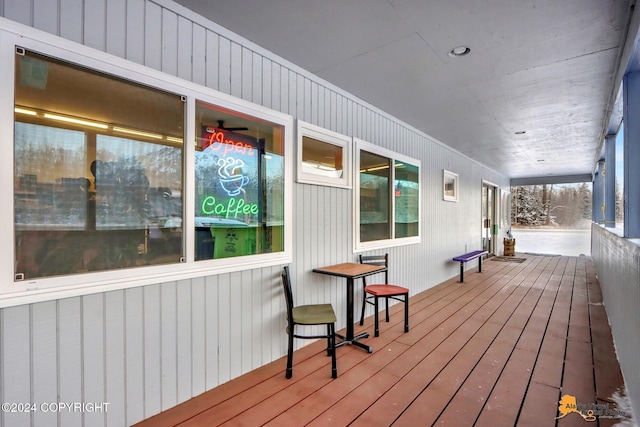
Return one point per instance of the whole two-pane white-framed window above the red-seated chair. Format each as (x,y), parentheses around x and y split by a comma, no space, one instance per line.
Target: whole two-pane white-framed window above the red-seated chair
(387,200)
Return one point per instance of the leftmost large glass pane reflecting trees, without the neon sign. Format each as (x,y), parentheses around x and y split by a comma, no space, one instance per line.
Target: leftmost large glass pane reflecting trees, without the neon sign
(98,175)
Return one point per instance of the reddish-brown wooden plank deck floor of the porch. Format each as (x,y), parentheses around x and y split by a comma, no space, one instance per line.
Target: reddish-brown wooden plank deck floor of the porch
(499,350)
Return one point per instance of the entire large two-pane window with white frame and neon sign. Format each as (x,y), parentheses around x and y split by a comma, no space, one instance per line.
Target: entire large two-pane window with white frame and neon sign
(125,176)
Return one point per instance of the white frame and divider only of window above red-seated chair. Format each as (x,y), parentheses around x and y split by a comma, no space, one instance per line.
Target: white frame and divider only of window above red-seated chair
(358,246)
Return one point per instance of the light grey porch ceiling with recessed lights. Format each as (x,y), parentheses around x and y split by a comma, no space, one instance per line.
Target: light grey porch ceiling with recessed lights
(548,68)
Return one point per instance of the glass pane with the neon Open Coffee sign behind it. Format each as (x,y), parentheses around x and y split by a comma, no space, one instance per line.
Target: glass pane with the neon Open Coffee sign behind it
(239,175)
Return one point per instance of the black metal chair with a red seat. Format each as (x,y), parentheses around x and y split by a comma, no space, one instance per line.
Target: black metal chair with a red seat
(372,292)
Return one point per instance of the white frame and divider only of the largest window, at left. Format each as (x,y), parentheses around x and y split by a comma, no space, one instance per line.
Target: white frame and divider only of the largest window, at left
(13,292)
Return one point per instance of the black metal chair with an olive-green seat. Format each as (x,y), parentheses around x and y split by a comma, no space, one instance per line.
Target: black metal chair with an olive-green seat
(308,315)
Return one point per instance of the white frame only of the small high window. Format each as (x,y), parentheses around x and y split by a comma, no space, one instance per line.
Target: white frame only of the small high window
(329,137)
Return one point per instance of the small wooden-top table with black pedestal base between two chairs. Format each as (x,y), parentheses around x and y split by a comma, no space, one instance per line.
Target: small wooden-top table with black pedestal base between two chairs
(351,271)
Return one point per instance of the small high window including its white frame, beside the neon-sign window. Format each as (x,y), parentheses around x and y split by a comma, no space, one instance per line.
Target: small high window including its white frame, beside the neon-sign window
(324,157)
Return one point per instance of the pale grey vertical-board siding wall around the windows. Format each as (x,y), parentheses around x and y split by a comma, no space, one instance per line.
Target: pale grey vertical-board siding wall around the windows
(146,349)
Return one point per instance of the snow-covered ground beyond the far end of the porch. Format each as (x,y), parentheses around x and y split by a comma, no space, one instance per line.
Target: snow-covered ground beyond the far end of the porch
(555,242)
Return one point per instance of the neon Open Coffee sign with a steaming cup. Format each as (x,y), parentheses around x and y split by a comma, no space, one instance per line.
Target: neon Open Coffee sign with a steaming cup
(238,155)
